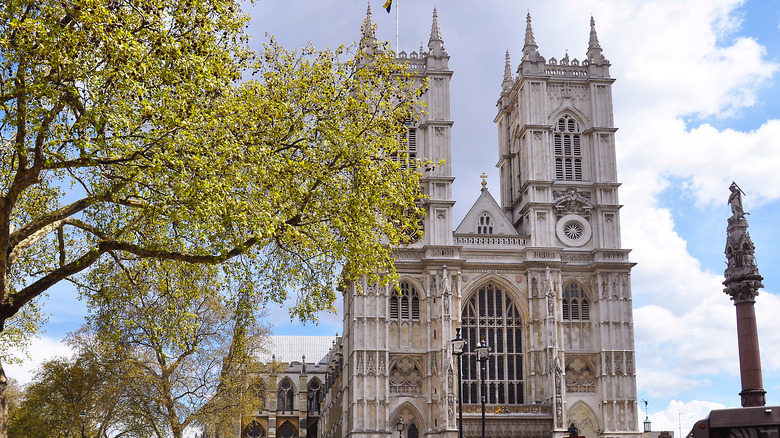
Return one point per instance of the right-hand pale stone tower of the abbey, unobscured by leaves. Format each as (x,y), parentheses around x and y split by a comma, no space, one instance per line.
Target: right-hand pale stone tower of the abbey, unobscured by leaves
(559,187)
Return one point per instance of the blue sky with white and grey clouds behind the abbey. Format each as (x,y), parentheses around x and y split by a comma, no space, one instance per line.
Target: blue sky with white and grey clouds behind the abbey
(697,104)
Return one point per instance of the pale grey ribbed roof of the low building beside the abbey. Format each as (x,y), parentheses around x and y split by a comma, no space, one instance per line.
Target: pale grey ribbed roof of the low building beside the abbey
(294,348)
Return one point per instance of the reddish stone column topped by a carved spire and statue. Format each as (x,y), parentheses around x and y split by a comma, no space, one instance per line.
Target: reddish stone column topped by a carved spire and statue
(742,282)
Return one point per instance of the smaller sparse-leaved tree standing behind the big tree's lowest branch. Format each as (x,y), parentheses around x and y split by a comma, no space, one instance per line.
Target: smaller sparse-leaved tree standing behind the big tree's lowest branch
(188,342)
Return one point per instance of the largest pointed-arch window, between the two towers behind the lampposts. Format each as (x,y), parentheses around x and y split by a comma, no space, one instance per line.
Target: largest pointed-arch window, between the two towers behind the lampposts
(491,314)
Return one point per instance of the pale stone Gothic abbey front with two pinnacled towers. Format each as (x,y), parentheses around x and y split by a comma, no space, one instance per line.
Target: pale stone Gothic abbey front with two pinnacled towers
(538,273)
